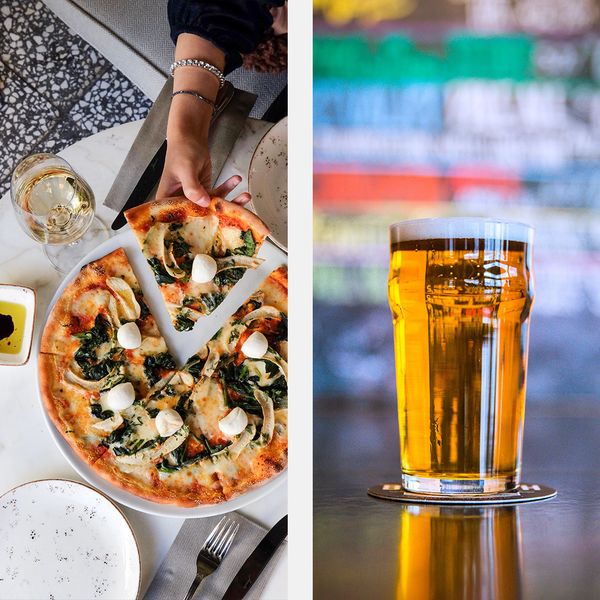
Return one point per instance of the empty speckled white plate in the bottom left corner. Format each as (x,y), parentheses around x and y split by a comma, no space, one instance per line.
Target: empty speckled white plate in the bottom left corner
(62,539)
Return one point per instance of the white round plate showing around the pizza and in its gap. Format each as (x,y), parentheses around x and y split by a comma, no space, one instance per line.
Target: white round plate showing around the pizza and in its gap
(181,345)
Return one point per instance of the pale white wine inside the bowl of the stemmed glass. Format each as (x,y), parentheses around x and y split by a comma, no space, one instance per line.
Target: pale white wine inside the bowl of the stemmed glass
(54,205)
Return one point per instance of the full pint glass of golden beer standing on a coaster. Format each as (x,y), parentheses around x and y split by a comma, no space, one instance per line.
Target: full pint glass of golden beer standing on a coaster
(461,291)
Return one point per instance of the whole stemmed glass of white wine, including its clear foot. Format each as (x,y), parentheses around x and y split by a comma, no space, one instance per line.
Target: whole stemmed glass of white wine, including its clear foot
(55,207)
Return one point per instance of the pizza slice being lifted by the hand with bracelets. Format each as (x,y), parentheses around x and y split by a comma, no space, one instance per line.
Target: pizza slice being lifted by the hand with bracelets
(197,254)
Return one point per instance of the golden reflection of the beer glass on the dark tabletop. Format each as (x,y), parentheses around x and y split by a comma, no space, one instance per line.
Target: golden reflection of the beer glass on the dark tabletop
(459,553)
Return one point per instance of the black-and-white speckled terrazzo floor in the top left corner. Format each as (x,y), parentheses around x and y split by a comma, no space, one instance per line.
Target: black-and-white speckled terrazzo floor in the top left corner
(55,89)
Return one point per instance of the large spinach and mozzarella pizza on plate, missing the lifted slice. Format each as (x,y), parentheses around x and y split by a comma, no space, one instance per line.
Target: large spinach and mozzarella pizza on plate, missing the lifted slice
(197,435)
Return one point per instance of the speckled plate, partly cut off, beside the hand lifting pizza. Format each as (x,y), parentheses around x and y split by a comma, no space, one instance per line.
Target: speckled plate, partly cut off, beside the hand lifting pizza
(267,181)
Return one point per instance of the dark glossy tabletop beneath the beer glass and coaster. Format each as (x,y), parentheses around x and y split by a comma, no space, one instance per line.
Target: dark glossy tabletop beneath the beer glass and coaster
(375,549)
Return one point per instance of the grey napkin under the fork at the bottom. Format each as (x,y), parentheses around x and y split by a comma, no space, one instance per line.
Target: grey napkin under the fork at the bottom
(176,573)
